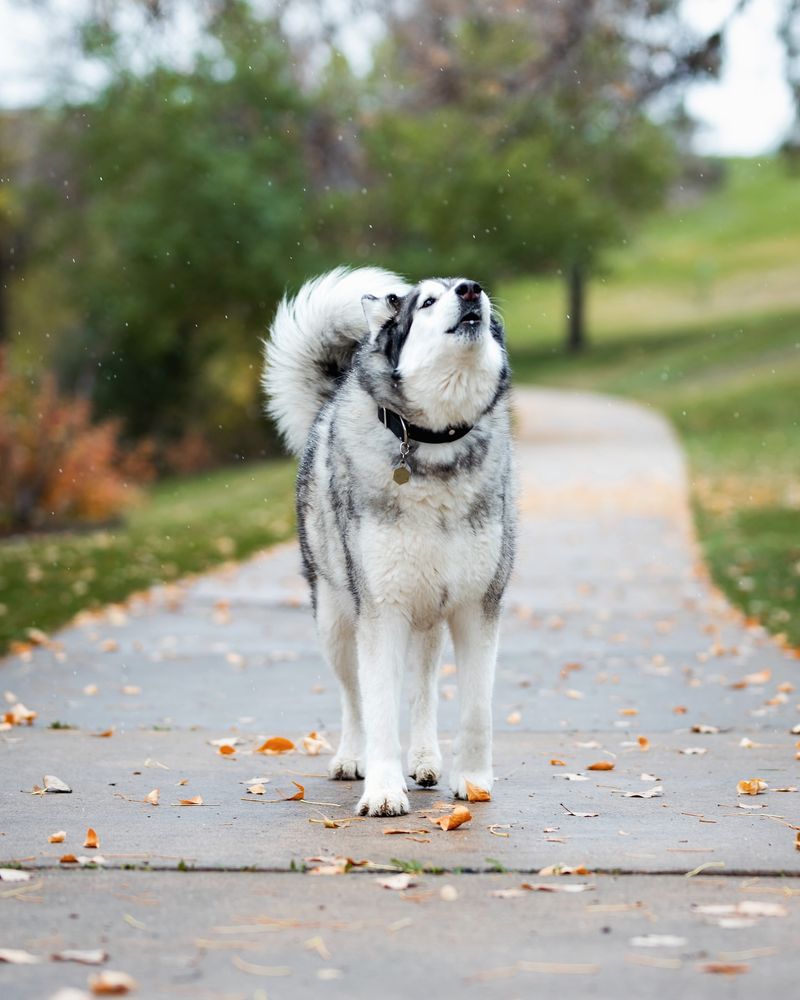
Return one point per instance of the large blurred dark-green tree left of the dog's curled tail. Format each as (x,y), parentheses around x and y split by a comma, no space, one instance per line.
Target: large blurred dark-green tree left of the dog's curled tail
(187,214)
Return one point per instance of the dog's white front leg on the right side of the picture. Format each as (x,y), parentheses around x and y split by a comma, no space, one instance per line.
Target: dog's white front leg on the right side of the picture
(475,641)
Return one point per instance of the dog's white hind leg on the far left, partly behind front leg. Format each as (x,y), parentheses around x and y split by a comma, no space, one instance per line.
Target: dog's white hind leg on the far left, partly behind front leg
(337,635)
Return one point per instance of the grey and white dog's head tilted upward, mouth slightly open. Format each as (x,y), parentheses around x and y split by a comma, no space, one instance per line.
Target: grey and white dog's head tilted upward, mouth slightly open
(436,354)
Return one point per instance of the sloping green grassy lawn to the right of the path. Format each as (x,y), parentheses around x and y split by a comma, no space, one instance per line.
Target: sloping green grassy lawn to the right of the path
(700,317)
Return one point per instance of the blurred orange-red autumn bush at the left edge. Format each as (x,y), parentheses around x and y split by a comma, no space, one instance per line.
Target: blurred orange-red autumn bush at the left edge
(57,467)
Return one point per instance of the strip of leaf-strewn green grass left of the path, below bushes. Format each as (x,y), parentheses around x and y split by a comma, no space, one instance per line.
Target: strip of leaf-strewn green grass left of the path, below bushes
(182,527)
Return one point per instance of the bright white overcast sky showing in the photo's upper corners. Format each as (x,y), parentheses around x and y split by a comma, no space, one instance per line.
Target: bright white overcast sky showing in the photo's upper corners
(746,113)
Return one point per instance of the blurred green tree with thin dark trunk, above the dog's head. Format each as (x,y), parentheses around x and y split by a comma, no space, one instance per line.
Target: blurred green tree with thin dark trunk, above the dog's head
(515,137)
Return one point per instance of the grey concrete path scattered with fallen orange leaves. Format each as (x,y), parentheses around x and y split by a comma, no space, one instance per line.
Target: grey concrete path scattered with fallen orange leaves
(615,649)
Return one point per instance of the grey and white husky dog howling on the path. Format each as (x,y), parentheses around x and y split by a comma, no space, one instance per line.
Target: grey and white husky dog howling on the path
(396,397)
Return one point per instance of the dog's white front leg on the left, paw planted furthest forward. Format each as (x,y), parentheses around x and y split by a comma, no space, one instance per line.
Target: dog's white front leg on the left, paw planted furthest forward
(382,647)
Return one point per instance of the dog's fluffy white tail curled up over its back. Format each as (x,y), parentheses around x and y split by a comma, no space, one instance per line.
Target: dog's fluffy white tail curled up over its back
(312,341)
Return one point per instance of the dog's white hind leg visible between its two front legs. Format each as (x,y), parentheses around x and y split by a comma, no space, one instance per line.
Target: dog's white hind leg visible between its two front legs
(424,755)
